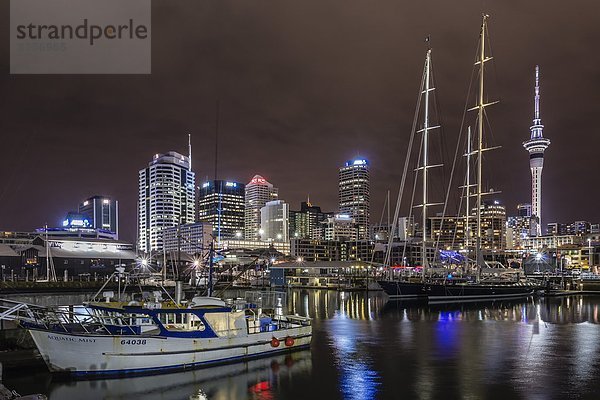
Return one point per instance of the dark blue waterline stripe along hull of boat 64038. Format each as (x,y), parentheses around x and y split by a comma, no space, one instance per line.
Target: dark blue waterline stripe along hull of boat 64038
(172,368)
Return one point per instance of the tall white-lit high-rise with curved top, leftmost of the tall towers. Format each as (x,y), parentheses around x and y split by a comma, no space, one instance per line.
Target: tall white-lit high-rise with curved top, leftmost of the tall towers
(166,198)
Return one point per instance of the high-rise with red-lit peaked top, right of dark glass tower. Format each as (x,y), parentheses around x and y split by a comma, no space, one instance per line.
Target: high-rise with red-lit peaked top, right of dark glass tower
(258,192)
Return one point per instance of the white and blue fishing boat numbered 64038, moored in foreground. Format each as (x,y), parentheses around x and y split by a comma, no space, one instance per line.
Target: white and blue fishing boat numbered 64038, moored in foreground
(150,336)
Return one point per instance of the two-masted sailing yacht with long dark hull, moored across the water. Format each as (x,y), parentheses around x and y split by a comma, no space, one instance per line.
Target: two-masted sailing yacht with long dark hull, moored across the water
(454,290)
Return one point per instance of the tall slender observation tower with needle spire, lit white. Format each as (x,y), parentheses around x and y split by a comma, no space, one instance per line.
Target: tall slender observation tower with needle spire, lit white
(536,147)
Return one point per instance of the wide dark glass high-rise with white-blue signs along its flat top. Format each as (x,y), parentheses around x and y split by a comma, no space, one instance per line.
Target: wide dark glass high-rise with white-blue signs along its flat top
(221,204)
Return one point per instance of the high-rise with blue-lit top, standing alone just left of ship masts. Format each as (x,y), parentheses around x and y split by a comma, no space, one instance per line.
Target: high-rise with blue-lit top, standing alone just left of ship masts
(354,198)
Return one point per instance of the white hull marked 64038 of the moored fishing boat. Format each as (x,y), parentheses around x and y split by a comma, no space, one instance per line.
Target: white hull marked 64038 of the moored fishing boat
(90,355)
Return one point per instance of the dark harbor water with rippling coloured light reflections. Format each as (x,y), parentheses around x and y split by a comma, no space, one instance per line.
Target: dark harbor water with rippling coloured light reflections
(365,347)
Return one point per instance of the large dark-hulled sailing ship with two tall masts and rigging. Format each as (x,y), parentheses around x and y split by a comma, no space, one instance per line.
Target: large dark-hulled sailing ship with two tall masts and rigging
(447,288)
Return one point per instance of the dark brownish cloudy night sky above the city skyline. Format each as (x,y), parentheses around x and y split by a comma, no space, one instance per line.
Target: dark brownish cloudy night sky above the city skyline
(304,86)
